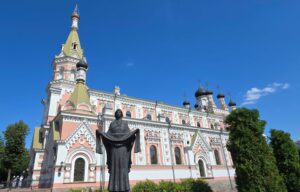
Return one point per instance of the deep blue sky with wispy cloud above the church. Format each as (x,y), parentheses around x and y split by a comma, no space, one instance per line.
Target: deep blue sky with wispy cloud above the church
(157,50)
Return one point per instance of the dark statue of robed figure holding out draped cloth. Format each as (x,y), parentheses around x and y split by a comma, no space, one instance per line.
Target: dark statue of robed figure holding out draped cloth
(118,142)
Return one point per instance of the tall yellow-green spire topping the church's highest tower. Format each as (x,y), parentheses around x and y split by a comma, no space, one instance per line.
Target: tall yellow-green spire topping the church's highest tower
(72,46)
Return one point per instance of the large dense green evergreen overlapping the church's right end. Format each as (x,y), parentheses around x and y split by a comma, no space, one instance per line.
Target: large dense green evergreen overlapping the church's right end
(252,157)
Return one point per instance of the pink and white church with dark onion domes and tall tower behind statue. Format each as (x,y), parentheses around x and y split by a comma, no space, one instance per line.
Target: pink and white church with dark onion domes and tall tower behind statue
(176,142)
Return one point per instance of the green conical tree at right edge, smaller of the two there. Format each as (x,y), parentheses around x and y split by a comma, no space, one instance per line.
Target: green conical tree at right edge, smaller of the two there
(287,159)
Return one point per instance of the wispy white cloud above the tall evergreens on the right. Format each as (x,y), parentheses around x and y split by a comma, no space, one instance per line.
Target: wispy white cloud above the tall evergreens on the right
(254,94)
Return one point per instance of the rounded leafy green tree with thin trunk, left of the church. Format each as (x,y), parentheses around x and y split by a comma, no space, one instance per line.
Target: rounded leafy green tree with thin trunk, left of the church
(16,156)
